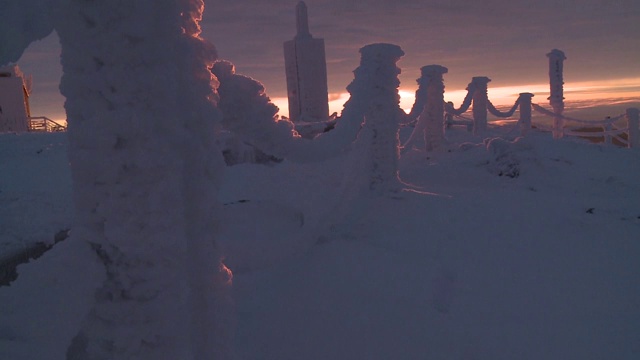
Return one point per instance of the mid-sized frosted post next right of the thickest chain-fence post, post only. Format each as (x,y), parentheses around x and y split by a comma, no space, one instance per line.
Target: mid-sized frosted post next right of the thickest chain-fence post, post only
(433,114)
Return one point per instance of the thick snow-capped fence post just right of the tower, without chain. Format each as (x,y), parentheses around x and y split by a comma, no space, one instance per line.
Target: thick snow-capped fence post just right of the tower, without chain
(376,82)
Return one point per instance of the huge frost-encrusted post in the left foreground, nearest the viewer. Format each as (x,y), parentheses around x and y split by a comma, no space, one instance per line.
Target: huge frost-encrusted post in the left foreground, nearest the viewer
(145,170)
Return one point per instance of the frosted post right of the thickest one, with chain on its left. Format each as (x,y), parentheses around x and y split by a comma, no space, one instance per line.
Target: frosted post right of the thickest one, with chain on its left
(430,94)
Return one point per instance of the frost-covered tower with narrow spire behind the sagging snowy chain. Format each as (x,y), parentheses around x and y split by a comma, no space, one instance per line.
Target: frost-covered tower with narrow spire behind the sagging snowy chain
(306,70)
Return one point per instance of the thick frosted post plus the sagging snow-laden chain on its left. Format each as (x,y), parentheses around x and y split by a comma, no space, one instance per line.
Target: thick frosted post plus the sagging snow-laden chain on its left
(371,115)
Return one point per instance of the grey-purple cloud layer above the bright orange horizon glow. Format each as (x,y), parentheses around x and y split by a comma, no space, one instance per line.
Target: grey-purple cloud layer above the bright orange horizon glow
(504,39)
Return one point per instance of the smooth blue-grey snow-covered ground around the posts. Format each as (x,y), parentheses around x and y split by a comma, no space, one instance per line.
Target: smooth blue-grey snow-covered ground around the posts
(502,250)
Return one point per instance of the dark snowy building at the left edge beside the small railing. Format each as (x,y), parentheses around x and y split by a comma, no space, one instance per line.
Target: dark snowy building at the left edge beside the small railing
(14,100)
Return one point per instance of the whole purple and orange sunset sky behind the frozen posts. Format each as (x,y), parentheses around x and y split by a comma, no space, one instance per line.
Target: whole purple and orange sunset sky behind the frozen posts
(506,40)
